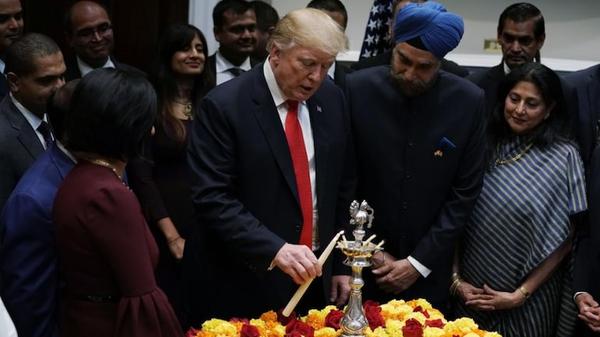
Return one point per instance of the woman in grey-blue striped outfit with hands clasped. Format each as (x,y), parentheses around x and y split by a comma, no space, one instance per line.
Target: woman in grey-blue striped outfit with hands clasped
(513,271)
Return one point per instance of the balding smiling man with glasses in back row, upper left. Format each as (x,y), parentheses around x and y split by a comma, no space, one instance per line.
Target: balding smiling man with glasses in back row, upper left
(89,32)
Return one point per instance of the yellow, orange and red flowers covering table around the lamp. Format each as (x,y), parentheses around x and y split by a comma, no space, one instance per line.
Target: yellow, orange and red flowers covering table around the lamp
(397,318)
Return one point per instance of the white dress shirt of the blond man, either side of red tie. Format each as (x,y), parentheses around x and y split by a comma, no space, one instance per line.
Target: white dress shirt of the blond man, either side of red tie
(304,119)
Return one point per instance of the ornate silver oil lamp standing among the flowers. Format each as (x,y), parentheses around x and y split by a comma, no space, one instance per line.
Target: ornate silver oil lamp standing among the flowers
(358,255)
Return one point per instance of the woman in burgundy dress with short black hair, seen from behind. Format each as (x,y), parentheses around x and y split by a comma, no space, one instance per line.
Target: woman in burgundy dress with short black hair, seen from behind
(107,255)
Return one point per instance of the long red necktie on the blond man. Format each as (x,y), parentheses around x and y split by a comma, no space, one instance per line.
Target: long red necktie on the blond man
(293,134)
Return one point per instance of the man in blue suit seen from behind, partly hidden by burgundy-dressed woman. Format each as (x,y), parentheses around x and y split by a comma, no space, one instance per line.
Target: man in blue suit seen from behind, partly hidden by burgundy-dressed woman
(28,268)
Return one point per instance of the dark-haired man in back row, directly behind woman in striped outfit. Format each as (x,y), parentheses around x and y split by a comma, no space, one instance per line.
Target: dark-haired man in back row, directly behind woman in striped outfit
(521,34)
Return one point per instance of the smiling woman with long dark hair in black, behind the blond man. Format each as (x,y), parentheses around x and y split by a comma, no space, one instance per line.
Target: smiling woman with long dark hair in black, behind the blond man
(161,179)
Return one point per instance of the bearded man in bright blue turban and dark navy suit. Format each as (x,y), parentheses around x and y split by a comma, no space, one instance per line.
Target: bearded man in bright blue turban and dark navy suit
(419,142)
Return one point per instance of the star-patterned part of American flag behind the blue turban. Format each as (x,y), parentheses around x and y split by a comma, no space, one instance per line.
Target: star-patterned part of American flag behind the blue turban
(377,36)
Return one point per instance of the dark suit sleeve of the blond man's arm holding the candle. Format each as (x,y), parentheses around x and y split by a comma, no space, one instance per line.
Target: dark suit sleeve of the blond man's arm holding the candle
(213,163)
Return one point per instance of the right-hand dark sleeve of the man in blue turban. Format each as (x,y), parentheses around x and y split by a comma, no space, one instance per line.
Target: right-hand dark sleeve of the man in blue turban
(446,231)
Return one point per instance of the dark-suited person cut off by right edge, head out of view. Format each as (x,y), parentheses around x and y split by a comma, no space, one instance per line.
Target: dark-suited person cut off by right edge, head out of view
(587,266)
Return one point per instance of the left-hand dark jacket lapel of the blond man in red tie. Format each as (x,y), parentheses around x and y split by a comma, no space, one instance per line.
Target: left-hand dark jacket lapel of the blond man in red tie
(270,124)
